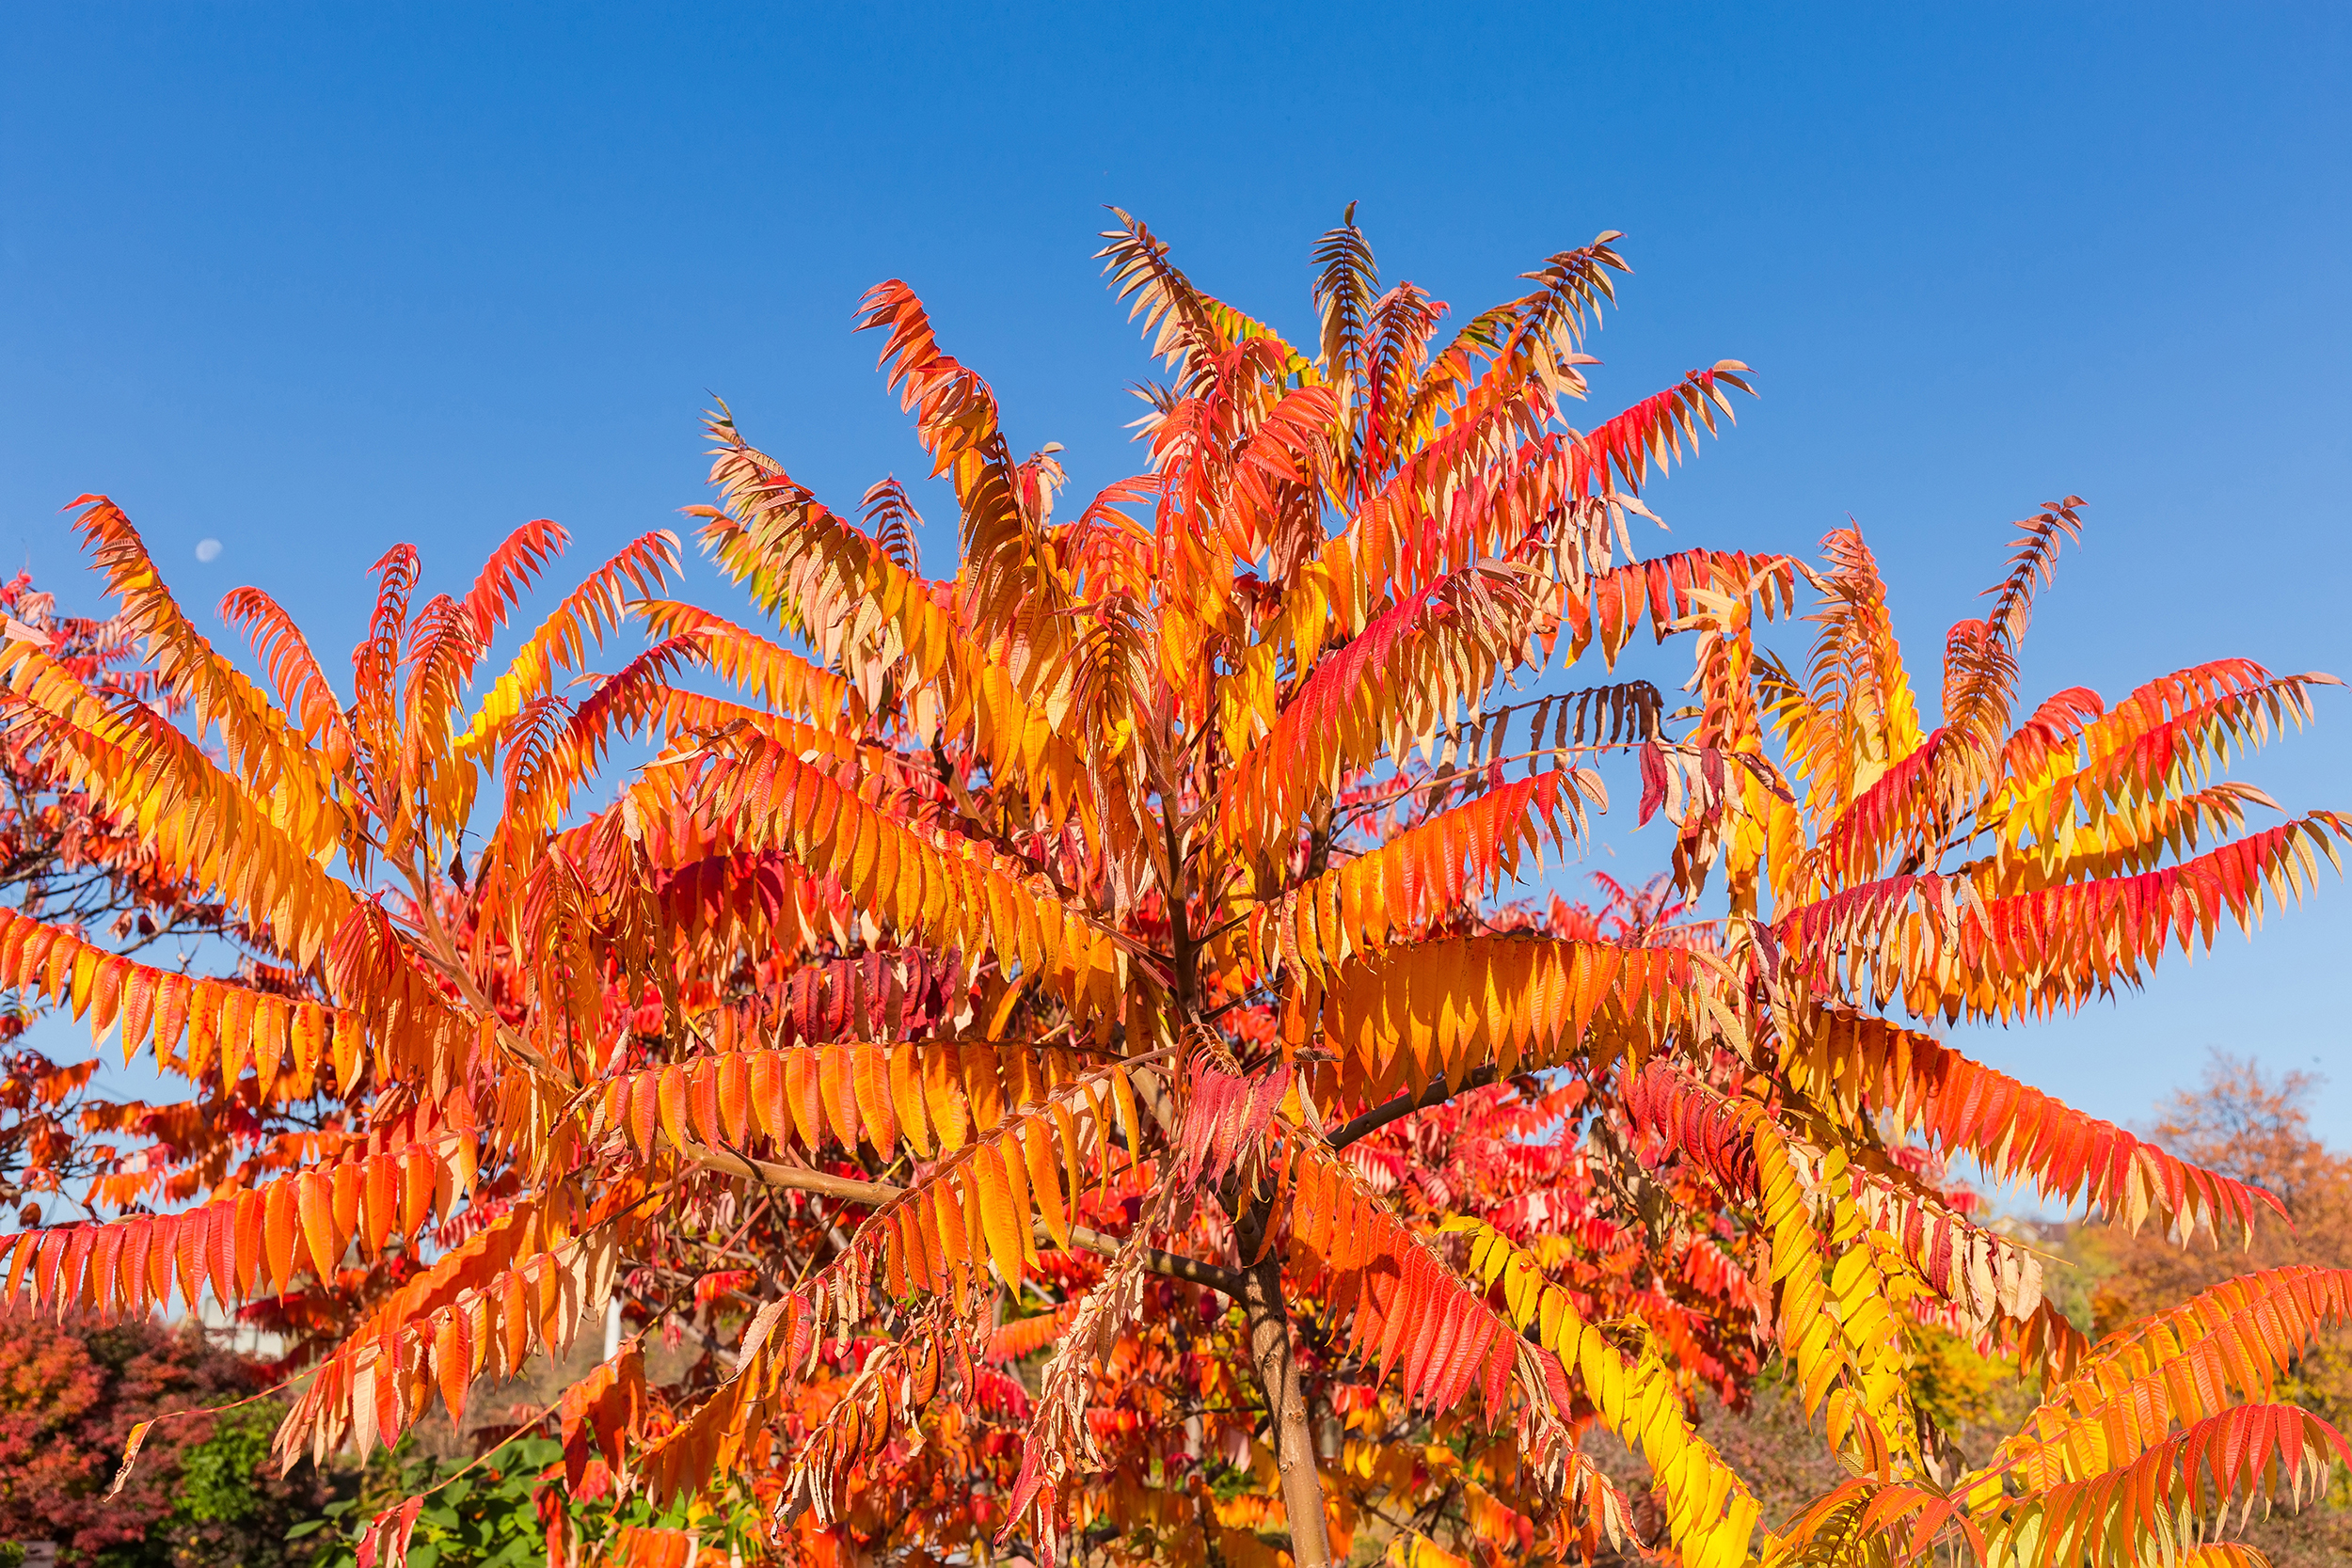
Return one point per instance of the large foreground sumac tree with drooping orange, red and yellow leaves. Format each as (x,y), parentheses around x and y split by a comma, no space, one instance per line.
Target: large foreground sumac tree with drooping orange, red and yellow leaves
(1069,1047)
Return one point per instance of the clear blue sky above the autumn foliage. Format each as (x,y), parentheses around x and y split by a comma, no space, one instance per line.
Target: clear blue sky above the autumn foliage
(307,281)
